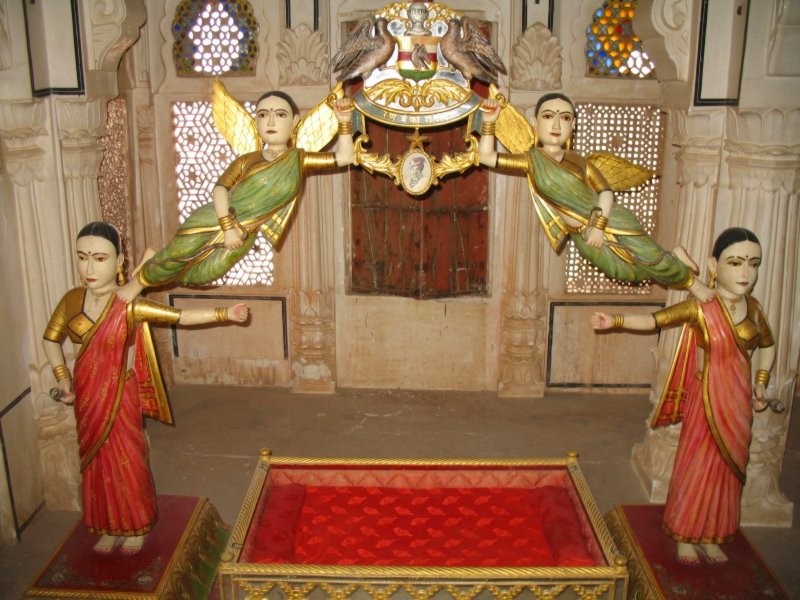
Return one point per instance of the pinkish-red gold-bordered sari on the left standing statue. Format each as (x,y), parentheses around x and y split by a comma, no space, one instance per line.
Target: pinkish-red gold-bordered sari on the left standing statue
(118,493)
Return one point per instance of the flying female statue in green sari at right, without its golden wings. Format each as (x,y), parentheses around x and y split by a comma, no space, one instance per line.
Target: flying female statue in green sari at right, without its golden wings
(573,198)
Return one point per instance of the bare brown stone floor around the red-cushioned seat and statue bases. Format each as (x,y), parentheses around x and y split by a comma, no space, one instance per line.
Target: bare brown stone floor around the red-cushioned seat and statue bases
(212,450)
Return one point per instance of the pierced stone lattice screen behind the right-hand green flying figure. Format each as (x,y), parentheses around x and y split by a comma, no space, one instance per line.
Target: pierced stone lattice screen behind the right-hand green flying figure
(635,133)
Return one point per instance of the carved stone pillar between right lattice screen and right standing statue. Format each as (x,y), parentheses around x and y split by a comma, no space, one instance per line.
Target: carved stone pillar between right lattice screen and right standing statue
(698,137)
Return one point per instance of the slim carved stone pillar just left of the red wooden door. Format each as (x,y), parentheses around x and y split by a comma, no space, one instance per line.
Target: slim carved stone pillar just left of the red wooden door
(312,318)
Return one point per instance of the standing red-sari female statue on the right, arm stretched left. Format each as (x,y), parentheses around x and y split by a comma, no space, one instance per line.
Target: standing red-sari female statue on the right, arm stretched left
(712,395)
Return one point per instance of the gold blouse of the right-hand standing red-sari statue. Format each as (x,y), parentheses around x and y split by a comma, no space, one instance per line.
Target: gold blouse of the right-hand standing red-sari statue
(751,332)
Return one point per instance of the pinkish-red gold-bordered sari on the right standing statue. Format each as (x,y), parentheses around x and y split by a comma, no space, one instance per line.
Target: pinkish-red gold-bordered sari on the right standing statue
(713,450)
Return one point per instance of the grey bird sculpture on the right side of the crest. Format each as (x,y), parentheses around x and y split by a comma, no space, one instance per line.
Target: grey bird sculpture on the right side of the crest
(471,52)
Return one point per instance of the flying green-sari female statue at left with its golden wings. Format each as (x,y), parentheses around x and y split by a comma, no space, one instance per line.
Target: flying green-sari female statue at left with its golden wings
(258,190)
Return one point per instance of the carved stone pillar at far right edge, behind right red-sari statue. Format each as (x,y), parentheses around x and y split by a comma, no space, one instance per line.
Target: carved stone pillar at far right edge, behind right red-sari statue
(763,162)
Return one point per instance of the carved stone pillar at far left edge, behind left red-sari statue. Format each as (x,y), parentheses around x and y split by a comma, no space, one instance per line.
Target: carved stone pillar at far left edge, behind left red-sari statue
(42,216)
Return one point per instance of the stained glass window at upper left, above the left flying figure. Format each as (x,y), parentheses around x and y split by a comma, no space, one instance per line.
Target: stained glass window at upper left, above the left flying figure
(213,37)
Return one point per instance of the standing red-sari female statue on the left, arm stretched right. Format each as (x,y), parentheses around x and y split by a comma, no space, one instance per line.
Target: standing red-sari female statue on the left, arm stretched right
(115,381)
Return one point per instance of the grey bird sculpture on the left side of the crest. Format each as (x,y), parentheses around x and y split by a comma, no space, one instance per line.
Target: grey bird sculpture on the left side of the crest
(364,50)
